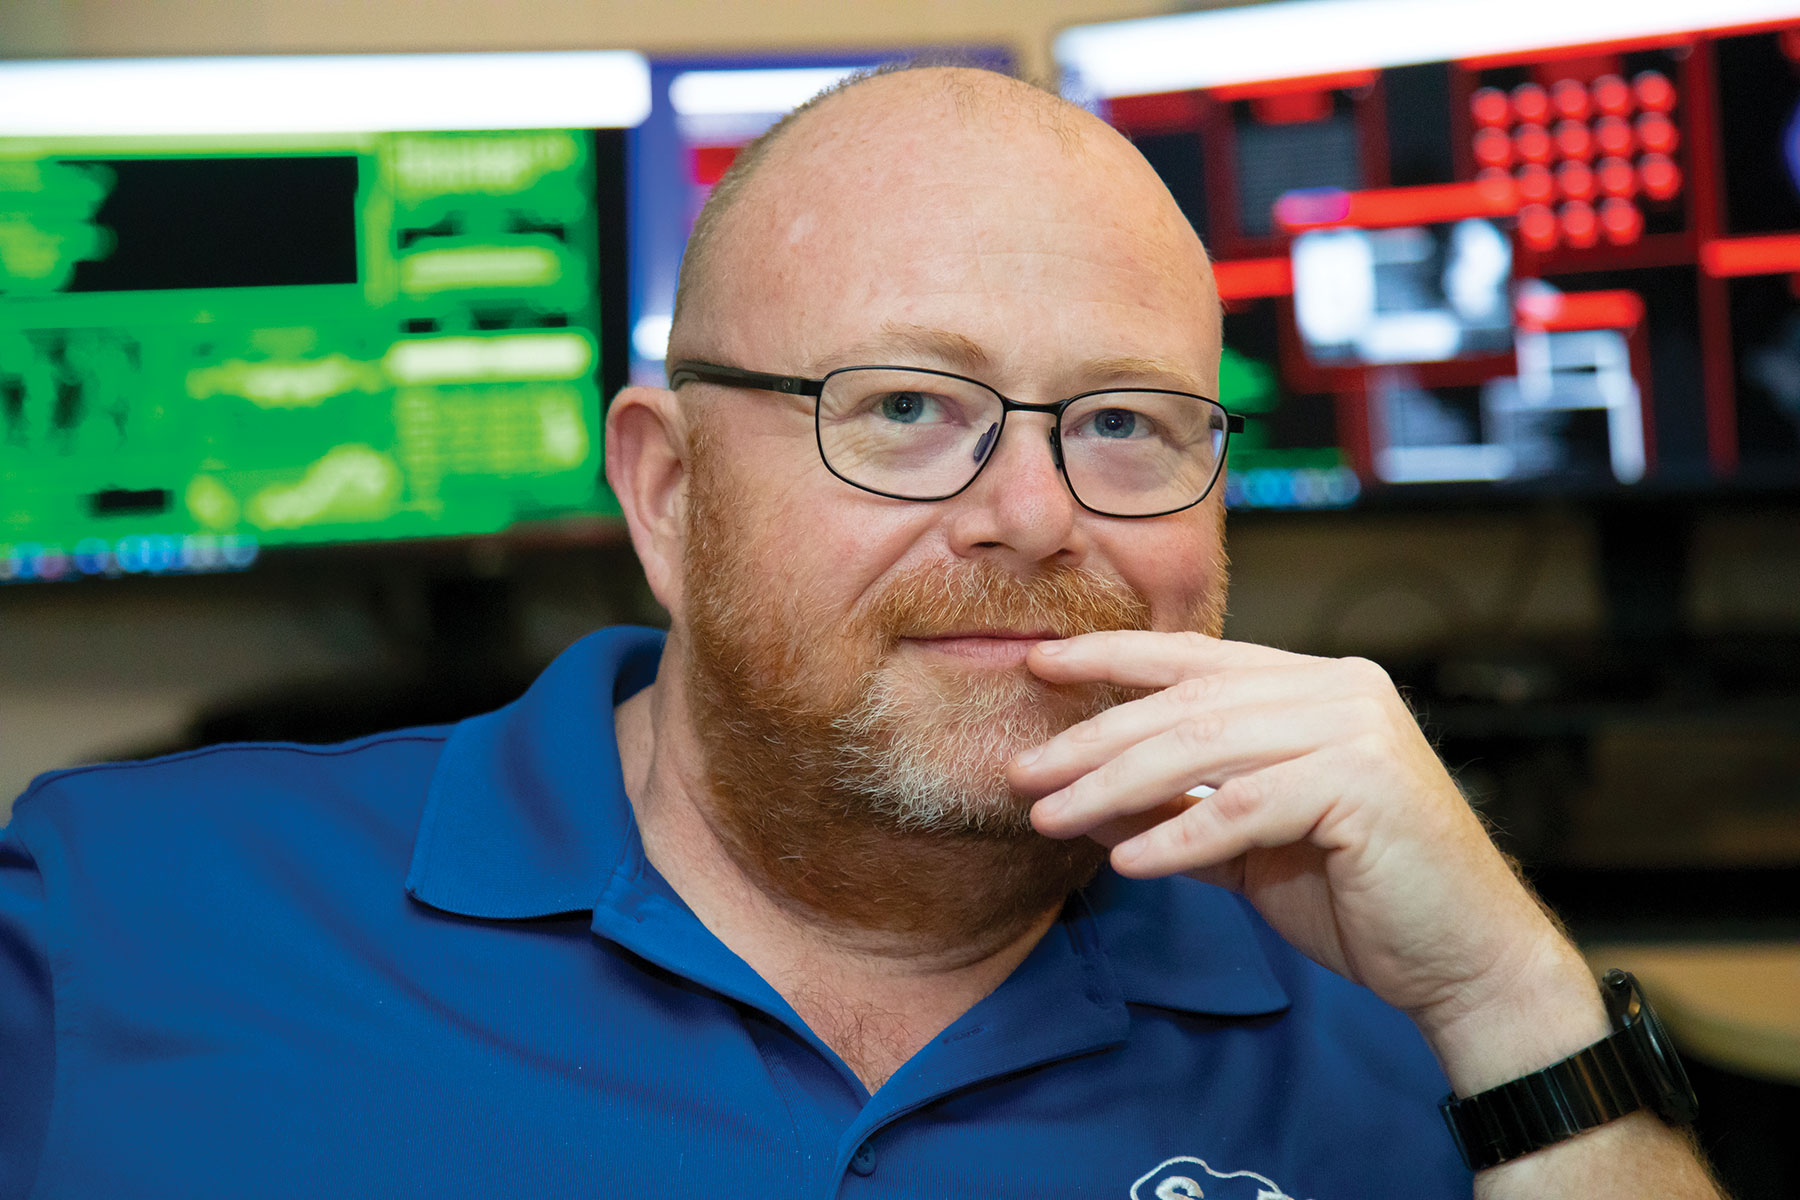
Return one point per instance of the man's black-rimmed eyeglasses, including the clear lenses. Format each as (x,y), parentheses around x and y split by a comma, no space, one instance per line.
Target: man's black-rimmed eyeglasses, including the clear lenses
(917,434)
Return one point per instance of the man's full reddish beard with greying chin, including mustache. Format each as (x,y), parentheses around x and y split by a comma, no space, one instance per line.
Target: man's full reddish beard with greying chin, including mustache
(868,787)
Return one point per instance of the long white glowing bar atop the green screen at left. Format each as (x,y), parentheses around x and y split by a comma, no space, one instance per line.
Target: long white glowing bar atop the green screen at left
(323,94)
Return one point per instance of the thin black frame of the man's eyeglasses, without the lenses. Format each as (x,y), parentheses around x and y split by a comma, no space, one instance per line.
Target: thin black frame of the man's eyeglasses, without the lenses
(694,372)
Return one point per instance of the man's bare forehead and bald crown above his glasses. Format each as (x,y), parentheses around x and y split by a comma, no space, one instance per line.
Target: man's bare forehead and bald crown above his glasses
(1027,238)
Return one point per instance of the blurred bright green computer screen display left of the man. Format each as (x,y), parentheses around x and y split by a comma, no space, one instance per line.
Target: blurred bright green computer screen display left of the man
(211,348)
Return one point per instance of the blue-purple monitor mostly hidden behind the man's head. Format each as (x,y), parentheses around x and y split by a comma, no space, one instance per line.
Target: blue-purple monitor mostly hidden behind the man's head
(703,111)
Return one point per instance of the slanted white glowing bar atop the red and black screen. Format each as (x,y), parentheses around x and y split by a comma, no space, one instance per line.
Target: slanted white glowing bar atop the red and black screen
(1299,39)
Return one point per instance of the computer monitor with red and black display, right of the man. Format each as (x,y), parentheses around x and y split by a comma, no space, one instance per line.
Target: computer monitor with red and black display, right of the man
(1475,253)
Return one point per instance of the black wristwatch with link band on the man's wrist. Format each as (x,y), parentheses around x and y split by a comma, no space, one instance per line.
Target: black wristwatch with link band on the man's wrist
(1635,1068)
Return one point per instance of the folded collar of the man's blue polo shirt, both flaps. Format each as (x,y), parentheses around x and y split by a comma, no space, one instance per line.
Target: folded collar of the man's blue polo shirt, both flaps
(526,818)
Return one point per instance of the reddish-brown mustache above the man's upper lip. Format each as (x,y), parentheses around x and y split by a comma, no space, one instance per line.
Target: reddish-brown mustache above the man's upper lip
(931,602)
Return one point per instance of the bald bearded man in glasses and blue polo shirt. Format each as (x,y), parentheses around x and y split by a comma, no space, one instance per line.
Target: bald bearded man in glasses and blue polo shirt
(827,908)
